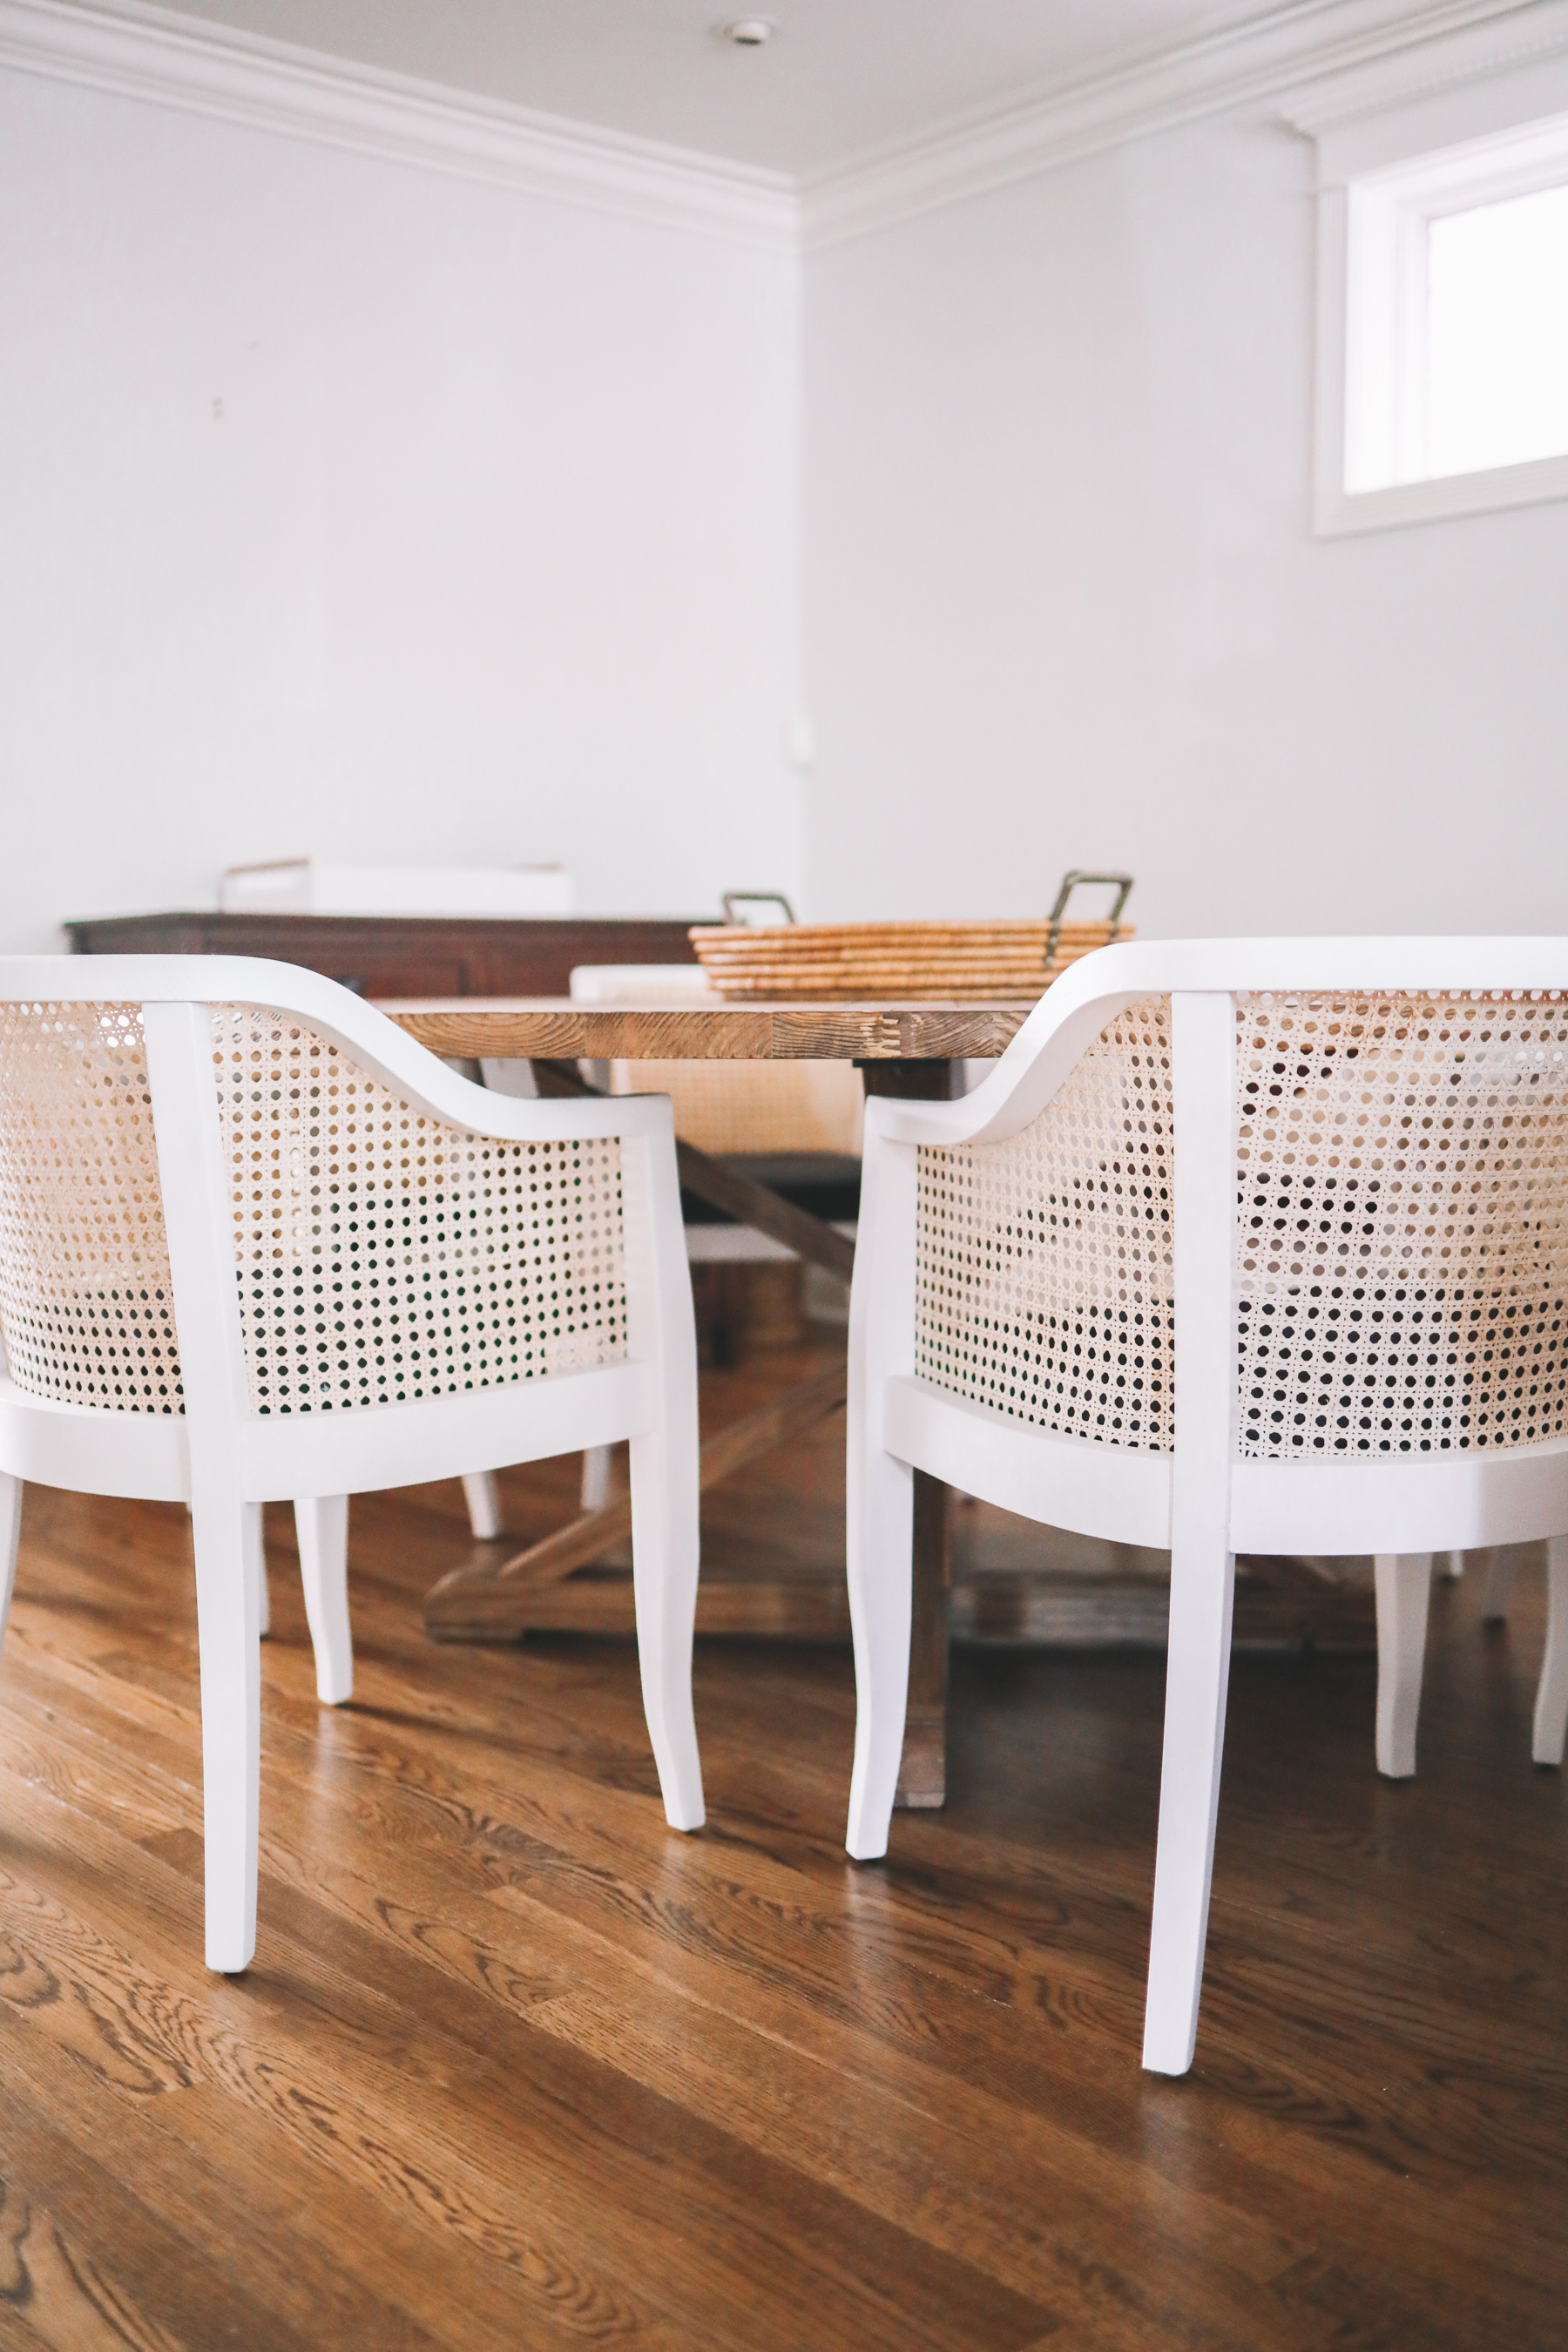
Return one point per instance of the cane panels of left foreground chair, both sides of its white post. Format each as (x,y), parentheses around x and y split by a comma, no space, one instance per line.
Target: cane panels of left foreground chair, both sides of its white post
(382,1255)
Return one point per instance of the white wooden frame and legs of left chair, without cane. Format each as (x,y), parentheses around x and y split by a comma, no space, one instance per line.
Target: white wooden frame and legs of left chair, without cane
(227,1462)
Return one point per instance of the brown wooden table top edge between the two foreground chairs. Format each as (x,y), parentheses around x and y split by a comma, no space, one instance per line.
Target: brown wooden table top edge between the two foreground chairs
(556,1029)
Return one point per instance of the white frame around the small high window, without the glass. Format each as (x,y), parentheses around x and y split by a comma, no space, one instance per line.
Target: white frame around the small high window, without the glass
(1386,173)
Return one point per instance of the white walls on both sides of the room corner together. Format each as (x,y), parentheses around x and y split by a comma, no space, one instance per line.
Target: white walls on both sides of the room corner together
(492,552)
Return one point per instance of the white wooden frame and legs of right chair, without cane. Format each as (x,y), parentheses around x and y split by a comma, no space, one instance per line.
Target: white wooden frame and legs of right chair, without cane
(1205,1502)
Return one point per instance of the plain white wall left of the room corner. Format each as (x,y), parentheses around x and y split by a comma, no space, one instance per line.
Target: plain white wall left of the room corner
(490,554)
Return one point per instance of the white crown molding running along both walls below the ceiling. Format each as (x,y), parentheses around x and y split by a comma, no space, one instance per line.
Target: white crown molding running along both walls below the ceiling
(1329,58)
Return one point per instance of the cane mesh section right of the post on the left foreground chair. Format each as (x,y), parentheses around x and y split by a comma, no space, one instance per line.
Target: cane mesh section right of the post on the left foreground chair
(389,1257)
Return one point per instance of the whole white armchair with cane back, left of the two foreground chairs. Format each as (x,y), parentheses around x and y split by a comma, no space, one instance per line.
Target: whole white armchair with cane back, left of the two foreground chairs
(257,1245)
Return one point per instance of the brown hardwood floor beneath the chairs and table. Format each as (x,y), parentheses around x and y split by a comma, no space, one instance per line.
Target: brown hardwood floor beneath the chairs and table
(518,2066)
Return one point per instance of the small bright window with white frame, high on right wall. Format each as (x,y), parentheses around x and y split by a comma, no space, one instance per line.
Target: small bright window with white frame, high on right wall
(1445,307)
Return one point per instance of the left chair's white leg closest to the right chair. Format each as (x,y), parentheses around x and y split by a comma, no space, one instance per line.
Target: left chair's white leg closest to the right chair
(664,1586)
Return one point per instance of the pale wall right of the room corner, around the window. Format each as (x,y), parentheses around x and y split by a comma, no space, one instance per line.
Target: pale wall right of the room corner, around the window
(1066,608)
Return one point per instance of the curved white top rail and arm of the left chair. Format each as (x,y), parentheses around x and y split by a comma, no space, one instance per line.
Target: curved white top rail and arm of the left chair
(337,1015)
